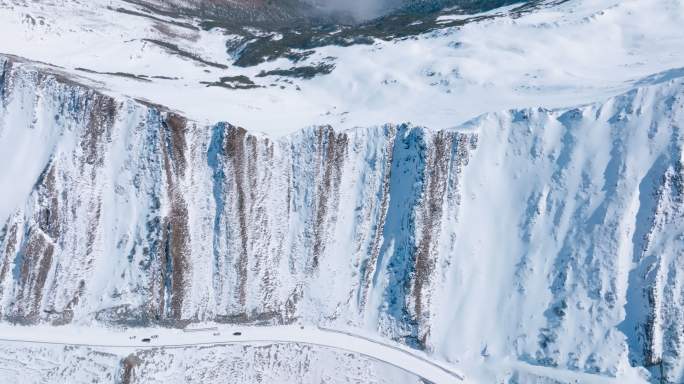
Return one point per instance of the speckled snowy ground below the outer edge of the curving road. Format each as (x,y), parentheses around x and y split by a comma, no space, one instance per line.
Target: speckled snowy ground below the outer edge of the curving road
(30,363)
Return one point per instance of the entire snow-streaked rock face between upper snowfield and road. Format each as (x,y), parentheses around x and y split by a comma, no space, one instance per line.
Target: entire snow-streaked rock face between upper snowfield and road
(554,236)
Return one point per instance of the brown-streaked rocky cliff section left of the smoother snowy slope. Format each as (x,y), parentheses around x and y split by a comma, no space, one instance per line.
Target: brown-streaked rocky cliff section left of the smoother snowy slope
(123,212)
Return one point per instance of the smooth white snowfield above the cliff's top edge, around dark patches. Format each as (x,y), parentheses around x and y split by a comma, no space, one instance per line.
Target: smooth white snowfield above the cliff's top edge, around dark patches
(549,58)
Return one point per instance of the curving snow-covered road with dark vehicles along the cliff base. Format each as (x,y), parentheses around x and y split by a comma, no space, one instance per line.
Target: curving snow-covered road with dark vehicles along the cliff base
(131,339)
